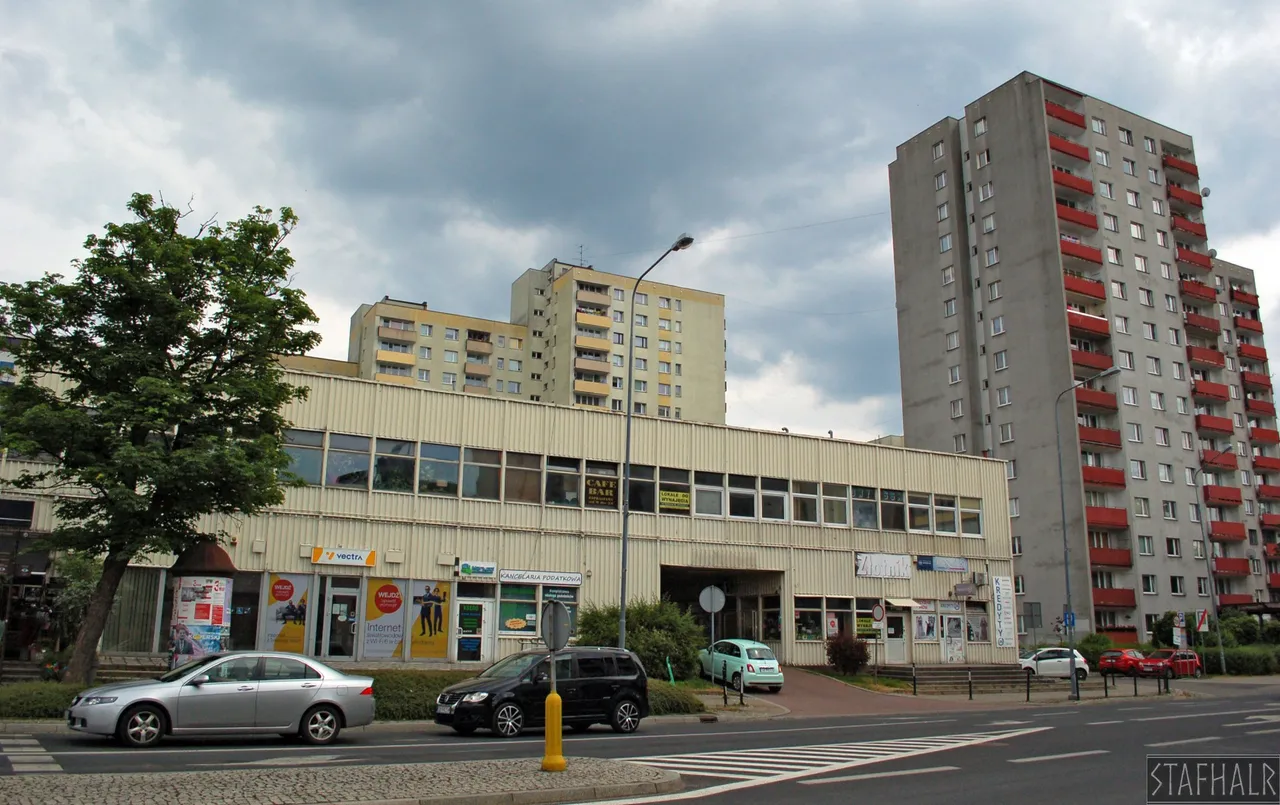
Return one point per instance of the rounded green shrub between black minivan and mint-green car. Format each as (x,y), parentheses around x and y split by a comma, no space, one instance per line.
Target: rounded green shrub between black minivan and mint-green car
(657,632)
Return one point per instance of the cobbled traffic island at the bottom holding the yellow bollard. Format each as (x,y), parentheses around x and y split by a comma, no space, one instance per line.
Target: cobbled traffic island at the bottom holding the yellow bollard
(481,783)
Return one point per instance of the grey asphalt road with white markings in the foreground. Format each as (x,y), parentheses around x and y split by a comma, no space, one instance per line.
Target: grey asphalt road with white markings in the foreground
(1094,752)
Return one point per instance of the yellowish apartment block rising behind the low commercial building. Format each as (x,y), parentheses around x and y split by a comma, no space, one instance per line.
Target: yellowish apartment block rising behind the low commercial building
(565,345)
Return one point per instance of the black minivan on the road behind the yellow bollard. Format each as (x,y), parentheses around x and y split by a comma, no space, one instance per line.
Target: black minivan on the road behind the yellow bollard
(597,687)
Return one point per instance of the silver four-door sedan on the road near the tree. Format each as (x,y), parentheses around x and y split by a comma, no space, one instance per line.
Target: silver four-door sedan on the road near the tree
(226,694)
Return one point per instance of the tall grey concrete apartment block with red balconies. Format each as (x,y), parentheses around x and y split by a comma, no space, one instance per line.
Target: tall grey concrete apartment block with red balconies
(1043,240)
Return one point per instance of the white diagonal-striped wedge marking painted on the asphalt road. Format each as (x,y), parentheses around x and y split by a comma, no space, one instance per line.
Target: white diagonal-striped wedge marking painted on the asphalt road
(761,766)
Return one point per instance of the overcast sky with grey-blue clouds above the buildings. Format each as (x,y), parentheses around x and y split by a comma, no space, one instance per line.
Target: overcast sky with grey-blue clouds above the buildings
(424,144)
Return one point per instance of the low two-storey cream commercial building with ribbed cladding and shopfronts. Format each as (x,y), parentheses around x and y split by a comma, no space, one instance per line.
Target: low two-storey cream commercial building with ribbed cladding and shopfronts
(433,527)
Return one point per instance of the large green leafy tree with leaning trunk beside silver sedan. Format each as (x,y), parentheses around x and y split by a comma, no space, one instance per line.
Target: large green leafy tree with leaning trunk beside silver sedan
(150,387)
